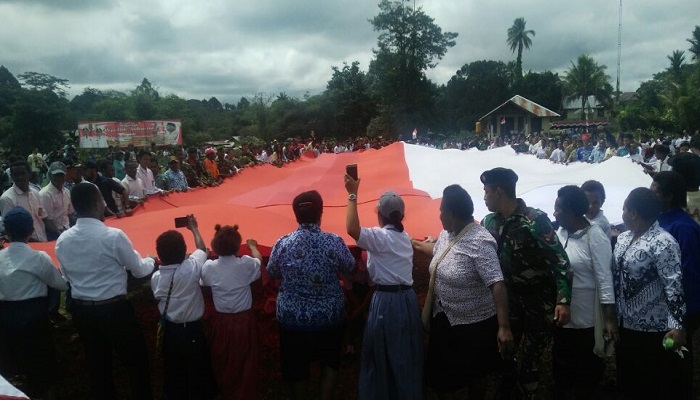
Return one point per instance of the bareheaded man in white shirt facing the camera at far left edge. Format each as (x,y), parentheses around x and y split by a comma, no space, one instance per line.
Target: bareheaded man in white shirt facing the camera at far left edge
(20,194)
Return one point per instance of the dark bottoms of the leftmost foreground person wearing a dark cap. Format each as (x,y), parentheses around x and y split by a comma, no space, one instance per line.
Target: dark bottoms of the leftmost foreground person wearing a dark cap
(26,344)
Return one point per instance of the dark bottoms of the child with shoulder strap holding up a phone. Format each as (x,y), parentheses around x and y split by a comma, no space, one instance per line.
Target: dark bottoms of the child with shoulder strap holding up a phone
(188,373)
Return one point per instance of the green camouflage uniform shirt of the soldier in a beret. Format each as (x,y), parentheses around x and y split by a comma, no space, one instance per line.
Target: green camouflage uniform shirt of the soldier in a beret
(535,266)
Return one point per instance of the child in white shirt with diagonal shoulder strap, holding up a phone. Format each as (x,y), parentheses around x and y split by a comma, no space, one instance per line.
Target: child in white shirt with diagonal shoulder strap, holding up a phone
(175,286)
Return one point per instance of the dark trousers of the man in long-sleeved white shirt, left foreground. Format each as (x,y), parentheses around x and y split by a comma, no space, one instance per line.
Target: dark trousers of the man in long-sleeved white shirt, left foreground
(109,328)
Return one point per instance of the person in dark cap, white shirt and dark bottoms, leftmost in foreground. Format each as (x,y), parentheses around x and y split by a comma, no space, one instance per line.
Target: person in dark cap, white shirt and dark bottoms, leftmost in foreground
(25,330)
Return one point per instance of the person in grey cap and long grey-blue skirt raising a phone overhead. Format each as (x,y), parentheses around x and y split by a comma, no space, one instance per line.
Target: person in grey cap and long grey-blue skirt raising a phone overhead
(392,348)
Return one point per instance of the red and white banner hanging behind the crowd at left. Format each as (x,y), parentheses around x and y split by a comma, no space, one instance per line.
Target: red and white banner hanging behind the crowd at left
(100,134)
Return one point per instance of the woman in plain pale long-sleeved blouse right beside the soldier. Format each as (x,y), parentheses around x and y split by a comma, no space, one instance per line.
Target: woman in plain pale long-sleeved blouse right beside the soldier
(576,368)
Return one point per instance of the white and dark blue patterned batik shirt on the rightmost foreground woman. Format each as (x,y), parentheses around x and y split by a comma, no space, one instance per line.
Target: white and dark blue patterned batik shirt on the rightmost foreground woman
(647,280)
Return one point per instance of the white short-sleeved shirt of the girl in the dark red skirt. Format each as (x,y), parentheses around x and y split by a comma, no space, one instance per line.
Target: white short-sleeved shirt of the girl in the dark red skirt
(230,278)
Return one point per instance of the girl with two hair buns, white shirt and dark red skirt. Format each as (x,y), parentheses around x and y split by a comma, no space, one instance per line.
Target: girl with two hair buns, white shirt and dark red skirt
(235,347)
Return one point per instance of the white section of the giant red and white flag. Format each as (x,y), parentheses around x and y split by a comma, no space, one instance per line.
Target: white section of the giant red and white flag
(432,170)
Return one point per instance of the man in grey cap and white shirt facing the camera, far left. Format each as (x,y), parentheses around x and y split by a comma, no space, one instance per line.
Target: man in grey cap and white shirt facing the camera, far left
(56,201)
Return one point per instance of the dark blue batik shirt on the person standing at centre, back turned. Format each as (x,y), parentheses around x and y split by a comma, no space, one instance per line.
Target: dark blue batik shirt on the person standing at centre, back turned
(308,261)
